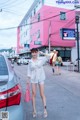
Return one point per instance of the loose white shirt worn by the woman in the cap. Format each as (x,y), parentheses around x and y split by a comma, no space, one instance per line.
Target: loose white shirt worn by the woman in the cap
(35,70)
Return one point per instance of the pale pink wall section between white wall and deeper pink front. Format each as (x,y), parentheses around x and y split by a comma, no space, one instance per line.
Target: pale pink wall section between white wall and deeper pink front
(36,27)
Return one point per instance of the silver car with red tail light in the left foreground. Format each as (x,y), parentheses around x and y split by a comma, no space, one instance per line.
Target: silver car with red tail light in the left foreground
(10,91)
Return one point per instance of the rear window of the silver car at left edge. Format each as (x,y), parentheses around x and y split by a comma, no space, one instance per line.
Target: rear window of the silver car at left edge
(3,66)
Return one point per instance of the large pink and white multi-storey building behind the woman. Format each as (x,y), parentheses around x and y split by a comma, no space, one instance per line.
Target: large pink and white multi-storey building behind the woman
(52,25)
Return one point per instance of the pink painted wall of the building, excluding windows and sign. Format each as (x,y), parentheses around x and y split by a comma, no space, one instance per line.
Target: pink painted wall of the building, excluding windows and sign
(54,29)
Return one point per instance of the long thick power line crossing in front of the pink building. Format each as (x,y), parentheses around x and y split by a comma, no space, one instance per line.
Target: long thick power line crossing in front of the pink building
(36,21)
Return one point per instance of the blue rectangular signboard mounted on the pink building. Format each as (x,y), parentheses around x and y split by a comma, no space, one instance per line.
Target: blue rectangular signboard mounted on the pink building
(68,34)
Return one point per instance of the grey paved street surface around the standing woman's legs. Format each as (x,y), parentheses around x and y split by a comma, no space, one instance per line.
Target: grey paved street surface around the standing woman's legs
(62,92)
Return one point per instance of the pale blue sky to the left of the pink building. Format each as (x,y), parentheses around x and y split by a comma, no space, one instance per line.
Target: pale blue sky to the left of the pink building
(11,14)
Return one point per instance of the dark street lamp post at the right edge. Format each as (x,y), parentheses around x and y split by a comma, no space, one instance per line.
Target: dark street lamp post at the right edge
(77,37)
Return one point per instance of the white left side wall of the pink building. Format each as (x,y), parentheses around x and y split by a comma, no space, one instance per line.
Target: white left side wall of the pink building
(23,34)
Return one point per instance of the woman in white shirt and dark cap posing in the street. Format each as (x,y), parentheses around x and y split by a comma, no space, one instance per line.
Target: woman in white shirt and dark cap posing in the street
(36,75)
